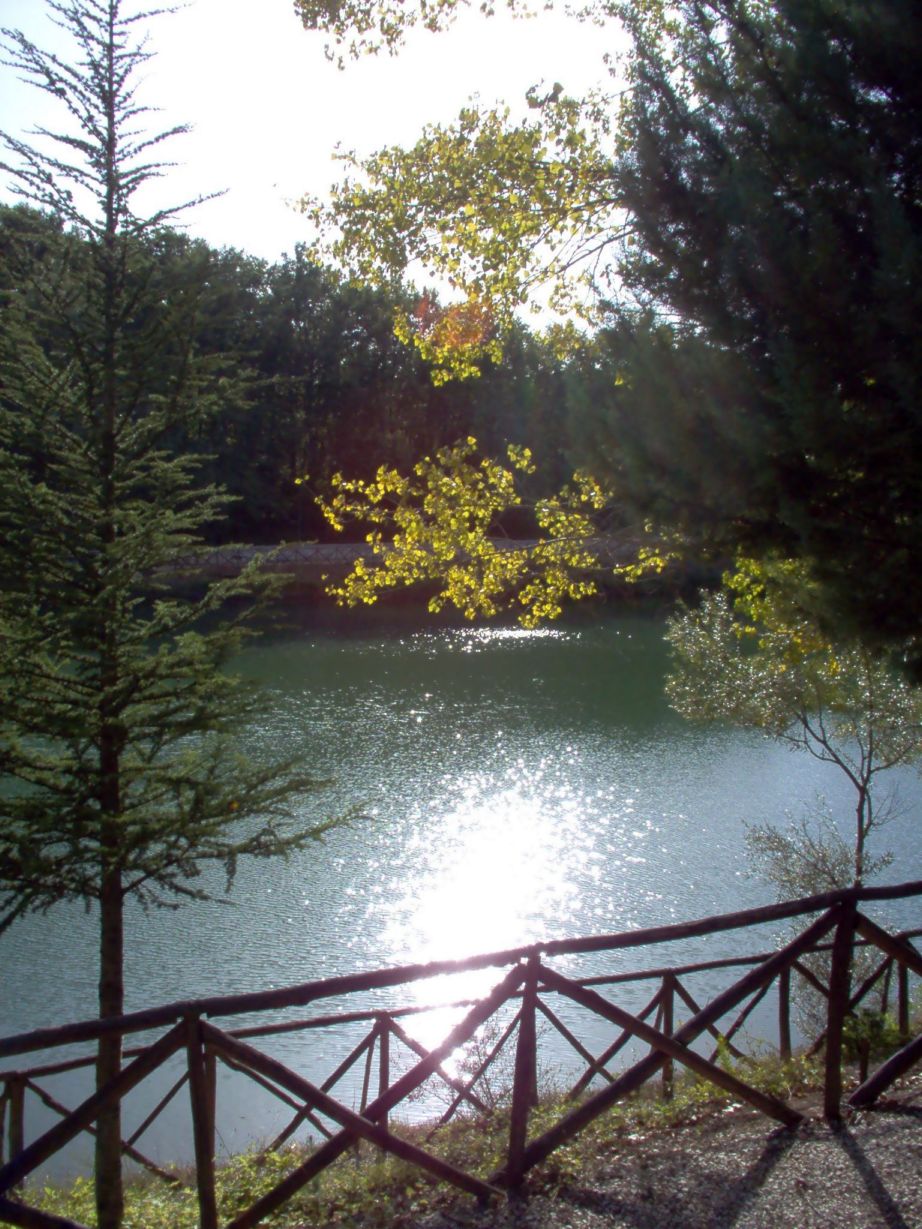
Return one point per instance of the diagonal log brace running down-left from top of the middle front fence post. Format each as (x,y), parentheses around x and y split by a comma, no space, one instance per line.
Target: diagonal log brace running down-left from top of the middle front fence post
(398,1092)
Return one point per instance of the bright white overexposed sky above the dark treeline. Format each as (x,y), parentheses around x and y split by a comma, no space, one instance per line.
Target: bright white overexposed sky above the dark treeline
(269,109)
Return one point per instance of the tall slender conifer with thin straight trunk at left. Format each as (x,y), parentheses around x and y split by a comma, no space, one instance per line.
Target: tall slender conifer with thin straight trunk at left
(120,771)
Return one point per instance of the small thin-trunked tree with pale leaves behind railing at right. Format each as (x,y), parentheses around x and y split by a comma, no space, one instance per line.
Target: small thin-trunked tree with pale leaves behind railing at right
(751,657)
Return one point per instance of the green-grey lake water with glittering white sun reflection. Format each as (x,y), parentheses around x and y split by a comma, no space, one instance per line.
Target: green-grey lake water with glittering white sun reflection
(513,786)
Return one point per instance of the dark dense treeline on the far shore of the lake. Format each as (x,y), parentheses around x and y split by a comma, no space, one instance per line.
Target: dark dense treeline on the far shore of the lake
(307,375)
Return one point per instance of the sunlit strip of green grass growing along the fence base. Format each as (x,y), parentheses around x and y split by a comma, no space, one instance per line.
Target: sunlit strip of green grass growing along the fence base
(374,1192)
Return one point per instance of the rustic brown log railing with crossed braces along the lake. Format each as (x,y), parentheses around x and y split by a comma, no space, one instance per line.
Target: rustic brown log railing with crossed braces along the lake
(835,924)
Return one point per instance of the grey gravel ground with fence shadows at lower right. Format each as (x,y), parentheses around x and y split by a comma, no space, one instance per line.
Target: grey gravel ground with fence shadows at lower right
(732,1169)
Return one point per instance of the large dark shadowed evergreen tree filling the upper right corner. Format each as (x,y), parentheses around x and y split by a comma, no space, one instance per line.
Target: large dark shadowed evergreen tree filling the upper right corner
(773,178)
